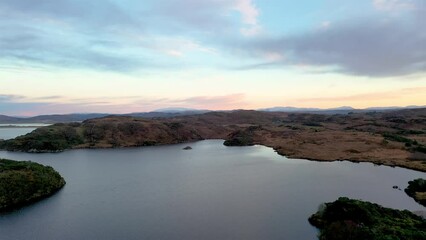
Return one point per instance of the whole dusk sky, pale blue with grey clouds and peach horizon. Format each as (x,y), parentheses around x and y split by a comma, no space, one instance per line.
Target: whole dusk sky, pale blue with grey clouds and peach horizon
(122,56)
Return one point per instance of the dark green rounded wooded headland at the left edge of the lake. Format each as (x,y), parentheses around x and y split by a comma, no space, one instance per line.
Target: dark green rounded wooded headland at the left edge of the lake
(23,182)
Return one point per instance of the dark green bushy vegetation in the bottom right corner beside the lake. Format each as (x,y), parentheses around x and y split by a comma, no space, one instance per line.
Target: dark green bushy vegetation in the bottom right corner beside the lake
(354,220)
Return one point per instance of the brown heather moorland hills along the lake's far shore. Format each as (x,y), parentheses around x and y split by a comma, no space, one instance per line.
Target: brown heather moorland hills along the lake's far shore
(393,138)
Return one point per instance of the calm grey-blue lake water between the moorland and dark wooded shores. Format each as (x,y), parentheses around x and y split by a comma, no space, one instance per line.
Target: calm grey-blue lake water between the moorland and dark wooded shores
(210,192)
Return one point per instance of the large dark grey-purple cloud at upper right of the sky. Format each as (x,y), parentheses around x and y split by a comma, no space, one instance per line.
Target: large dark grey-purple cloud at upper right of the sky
(368,47)
